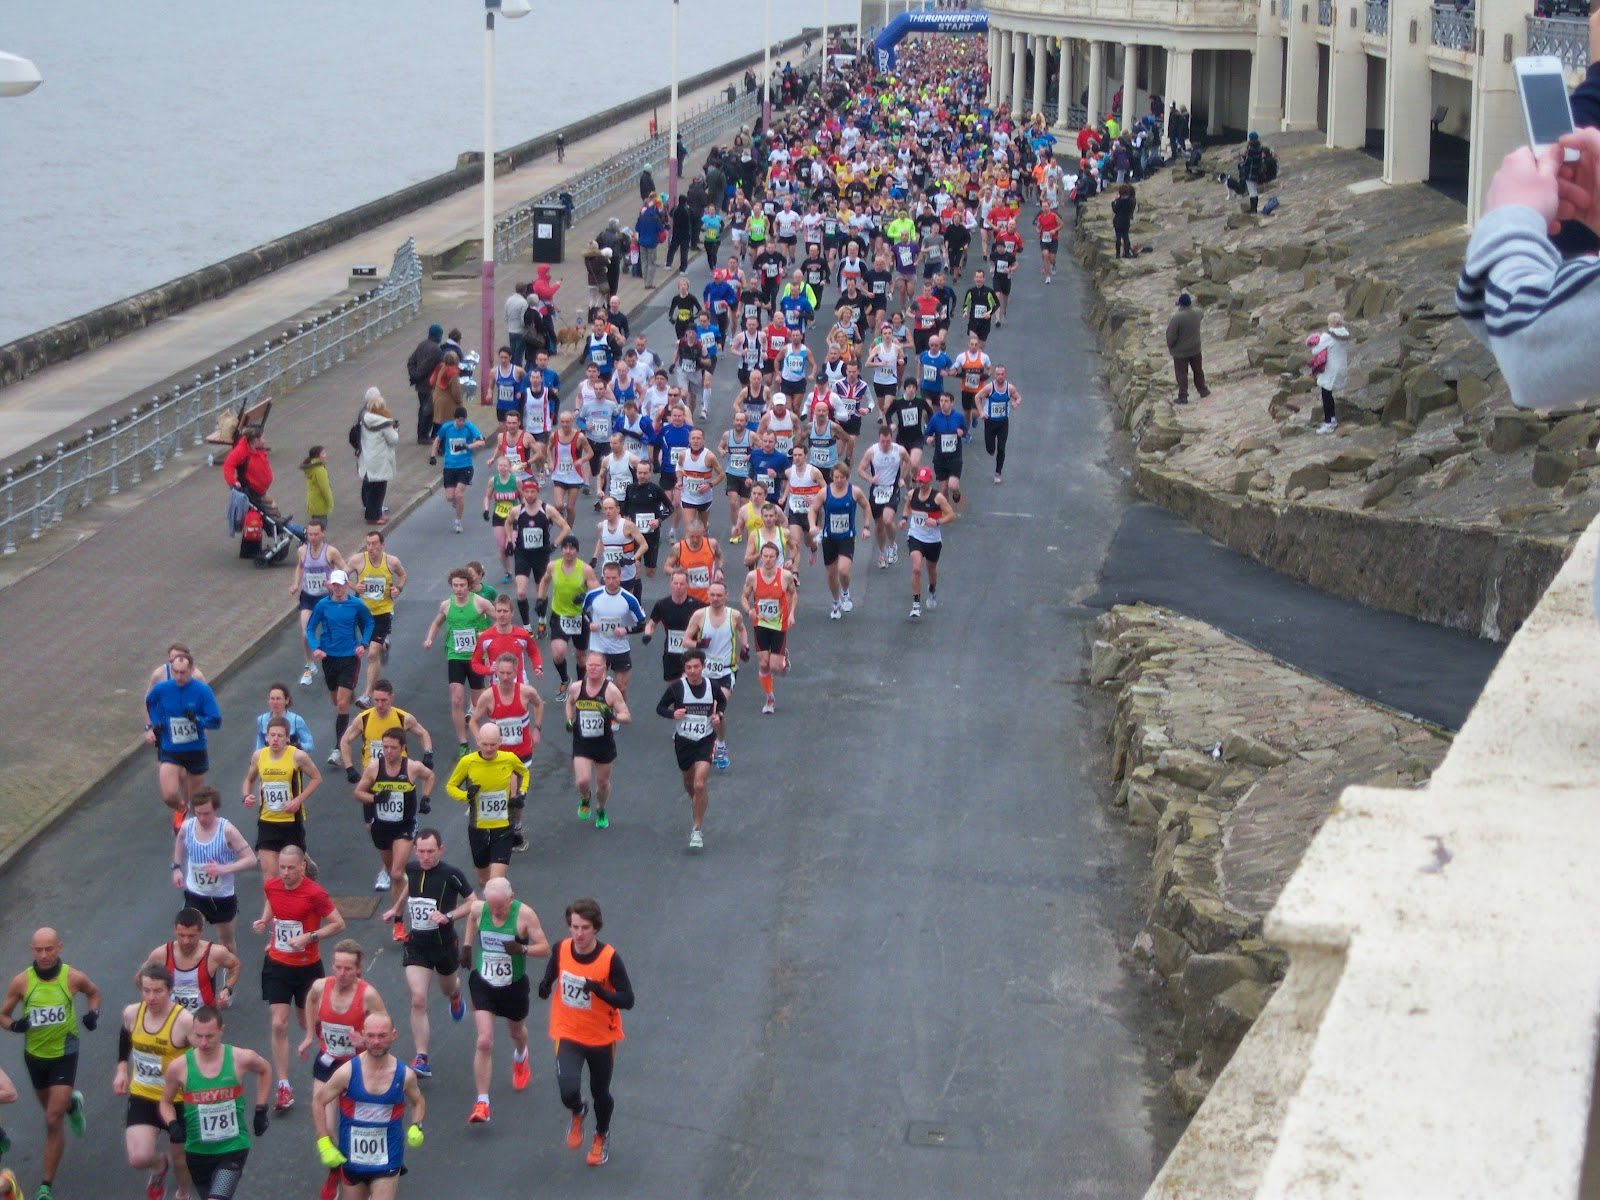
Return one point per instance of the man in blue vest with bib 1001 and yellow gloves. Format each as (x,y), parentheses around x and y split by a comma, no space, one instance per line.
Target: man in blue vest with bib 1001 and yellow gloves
(370,1095)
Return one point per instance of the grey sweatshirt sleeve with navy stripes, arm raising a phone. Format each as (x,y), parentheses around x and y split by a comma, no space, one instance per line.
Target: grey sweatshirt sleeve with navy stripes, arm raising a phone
(1535,313)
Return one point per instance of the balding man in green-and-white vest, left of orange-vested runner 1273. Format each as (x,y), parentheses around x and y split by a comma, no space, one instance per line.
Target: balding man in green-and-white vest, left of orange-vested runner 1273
(502,935)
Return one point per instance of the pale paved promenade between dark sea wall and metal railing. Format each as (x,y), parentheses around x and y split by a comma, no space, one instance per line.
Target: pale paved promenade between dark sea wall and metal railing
(76,393)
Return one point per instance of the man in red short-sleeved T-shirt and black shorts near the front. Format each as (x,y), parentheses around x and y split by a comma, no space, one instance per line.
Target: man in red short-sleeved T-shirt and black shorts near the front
(300,916)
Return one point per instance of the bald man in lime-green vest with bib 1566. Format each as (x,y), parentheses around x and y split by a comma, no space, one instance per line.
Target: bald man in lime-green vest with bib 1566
(50,1023)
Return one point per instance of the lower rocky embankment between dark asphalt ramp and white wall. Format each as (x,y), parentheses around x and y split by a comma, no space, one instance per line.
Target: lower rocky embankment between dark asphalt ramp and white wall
(1231,761)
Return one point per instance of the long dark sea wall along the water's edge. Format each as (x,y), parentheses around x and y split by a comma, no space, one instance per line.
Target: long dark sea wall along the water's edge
(70,338)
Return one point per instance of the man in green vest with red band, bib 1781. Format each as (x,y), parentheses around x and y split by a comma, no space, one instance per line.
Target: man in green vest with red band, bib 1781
(209,1082)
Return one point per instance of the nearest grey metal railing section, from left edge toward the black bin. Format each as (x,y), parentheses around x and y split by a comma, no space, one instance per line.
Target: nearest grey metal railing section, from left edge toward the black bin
(108,458)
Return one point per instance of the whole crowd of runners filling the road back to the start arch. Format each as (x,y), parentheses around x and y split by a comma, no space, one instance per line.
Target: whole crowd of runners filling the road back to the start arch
(831,382)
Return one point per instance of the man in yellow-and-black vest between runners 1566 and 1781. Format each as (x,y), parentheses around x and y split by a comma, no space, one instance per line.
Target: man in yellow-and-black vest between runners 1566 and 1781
(151,1052)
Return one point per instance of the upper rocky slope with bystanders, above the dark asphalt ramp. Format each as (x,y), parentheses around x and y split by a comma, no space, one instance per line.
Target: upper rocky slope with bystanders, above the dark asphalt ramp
(1436,497)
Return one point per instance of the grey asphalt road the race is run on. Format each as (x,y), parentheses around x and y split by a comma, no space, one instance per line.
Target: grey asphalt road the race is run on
(895,969)
